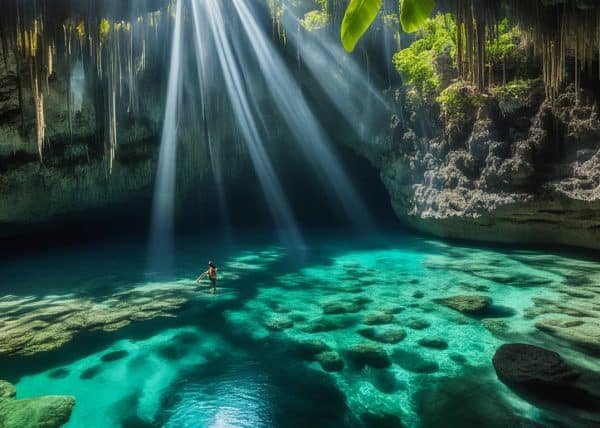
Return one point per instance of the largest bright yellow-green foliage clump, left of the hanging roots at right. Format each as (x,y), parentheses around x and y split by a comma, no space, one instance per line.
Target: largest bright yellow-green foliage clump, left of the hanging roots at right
(416,64)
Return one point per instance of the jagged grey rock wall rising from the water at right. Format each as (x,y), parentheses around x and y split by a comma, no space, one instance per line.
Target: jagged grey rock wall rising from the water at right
(514,169)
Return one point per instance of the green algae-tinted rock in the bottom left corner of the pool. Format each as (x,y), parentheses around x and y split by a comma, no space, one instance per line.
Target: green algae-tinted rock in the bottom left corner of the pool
(48,411)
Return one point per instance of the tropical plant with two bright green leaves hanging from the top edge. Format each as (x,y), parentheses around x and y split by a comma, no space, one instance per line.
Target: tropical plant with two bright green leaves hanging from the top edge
(360,14)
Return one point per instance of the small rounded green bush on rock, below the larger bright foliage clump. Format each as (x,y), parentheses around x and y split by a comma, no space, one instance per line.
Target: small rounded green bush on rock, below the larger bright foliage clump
(458,101)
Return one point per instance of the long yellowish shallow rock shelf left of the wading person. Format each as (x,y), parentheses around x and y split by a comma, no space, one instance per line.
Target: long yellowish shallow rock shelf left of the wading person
(38,325)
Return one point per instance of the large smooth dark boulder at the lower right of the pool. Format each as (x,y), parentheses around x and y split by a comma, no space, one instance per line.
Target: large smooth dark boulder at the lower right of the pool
(542,374)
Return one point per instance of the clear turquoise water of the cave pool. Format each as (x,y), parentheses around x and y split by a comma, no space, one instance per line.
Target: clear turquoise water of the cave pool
(142,349)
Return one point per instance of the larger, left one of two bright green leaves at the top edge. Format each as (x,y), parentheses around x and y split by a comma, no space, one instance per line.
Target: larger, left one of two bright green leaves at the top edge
(359,16)
